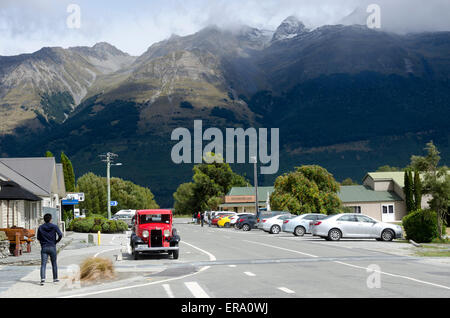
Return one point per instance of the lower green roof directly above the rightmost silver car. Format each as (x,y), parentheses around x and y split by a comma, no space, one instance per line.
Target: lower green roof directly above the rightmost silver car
(360,193)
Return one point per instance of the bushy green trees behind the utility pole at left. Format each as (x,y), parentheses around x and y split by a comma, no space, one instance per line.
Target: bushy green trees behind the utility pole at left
(126,193)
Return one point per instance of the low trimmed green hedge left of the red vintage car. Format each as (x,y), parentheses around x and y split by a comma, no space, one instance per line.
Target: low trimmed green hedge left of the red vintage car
(96,223)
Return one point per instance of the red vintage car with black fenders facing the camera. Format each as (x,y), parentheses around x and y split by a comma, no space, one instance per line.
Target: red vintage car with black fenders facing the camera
(153,233)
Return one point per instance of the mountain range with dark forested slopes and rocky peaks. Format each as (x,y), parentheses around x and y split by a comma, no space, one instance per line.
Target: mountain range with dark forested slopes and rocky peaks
(344,96)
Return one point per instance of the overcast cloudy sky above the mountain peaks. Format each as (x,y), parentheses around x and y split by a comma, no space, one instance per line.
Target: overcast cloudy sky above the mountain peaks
(133,25)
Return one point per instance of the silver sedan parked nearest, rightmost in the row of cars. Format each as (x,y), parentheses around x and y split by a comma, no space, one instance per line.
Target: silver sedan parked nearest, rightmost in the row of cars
(349,225)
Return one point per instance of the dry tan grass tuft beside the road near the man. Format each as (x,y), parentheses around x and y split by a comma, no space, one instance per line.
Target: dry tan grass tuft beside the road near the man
(96,268)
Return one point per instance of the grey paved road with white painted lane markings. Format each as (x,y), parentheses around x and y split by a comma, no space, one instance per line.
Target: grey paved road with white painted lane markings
(228,263)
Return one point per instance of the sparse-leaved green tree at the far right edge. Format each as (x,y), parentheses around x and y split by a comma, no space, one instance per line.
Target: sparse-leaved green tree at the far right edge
(436,182)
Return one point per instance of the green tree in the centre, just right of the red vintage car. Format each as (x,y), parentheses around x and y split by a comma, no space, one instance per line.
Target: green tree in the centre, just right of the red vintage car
(211,181)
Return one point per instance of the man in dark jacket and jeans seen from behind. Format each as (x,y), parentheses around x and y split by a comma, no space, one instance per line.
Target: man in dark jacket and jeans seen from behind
(46,235)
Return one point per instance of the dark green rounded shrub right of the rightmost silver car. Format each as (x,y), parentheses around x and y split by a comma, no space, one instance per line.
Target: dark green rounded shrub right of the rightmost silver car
(421,226)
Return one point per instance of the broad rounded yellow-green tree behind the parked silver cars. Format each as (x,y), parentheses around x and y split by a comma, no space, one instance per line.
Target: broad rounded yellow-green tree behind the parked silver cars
(308,189)
